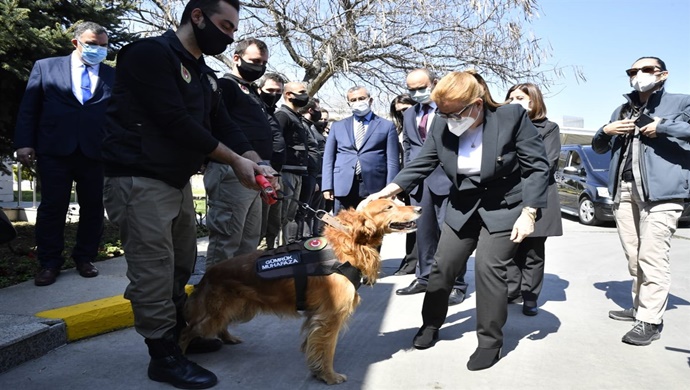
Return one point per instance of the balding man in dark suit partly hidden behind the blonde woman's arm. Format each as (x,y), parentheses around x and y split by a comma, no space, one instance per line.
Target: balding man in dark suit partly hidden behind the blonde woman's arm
(432,194)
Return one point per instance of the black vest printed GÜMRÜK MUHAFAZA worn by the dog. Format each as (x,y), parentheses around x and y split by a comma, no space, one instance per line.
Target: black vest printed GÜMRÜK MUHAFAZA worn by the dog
(299,260)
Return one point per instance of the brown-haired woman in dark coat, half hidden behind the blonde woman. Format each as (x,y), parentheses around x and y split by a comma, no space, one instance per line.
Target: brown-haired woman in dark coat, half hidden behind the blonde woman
(526,271)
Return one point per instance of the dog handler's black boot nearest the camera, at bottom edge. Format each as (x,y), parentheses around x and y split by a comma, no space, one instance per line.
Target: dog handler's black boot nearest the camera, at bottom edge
(181,373)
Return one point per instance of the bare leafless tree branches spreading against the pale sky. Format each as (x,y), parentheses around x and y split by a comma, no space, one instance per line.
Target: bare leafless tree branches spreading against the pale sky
(376,42)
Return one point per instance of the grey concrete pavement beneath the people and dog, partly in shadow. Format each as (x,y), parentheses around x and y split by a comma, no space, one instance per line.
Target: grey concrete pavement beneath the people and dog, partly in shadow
(571,344)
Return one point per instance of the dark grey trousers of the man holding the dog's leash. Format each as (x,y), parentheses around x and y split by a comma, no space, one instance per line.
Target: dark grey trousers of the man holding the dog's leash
(158,230)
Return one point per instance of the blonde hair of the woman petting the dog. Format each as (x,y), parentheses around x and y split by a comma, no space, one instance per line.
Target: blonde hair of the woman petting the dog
(465,87)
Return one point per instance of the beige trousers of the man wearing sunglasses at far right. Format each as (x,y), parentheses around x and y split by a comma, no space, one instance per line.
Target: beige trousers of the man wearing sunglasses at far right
(645,230)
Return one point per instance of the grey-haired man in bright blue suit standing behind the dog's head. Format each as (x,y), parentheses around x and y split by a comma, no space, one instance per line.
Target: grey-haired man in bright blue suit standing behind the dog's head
(361,154)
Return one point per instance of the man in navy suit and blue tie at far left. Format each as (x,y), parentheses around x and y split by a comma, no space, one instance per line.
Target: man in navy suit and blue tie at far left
(59,125)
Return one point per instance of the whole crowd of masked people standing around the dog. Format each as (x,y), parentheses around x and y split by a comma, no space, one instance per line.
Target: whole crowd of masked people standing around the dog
(482,171)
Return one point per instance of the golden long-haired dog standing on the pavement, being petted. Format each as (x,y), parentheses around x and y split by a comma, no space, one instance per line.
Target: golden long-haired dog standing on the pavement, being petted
(232,291)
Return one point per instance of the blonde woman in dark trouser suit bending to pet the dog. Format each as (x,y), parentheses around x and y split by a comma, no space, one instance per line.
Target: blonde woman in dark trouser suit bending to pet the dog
(496,160)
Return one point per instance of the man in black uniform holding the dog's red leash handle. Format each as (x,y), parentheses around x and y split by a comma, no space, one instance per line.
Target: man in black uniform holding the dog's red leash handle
(165,117)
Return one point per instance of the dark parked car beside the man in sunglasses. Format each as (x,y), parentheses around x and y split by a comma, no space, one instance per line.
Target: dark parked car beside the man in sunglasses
(582,180)
